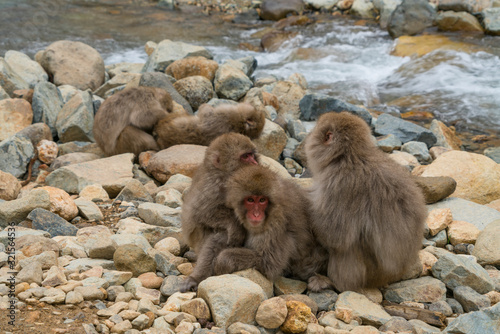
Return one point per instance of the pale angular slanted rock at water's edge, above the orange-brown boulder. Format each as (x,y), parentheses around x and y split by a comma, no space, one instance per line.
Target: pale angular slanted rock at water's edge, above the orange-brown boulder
(169,51)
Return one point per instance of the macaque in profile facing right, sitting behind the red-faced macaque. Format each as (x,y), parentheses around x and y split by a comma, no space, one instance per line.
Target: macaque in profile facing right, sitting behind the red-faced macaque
(208,225)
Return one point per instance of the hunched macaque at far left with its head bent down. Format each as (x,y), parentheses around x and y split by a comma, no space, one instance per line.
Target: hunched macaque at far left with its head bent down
(125,120)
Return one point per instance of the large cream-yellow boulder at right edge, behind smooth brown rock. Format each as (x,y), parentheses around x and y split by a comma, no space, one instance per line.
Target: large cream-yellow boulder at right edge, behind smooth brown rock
(477,176)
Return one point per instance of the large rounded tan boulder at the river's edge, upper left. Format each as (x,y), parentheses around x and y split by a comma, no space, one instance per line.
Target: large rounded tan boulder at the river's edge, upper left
(73,63)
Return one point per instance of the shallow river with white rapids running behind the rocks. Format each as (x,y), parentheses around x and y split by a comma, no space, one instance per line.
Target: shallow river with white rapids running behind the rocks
(337,57)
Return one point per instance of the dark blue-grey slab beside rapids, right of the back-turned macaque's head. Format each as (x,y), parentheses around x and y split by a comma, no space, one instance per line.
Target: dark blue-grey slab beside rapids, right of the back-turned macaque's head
(406,131)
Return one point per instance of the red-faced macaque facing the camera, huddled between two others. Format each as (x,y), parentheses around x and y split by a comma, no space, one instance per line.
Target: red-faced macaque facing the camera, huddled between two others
(275,213)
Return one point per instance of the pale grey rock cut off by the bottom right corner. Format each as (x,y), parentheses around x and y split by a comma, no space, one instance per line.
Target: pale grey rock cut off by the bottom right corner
(480,322)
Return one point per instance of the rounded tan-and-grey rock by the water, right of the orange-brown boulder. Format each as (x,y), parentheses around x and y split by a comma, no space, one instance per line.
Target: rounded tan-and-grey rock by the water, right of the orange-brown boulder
(231,82)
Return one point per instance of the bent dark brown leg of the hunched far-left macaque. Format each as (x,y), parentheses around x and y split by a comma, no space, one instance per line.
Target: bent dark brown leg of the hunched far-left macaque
(135,141)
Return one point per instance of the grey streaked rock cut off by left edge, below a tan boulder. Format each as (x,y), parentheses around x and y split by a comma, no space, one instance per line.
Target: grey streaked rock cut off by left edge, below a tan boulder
(15,154)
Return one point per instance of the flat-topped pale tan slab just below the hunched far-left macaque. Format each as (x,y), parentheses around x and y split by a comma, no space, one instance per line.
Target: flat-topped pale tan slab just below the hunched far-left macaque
(111,173)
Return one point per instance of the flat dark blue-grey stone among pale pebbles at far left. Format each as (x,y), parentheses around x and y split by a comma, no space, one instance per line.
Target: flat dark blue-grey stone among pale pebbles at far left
(47,221)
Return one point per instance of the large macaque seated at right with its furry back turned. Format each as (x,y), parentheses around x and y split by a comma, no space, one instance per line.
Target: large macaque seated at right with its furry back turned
(368,212)
